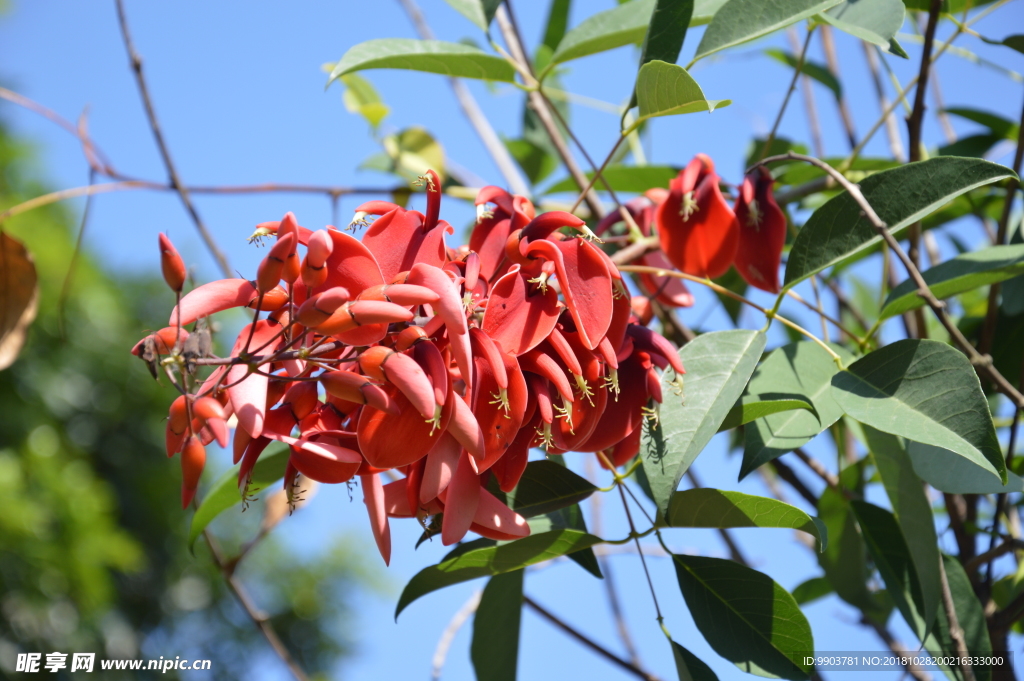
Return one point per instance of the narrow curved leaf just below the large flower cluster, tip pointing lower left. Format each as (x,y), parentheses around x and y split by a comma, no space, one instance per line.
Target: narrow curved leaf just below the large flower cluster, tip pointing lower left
(495,561)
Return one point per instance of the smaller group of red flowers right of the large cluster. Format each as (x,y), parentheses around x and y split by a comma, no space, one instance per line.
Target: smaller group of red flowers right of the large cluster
(701,235)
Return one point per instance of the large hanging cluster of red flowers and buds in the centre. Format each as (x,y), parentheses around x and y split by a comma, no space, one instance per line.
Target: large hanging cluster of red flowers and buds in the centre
(446,365)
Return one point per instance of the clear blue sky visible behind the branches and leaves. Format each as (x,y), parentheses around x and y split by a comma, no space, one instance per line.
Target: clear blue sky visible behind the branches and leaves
(240,94)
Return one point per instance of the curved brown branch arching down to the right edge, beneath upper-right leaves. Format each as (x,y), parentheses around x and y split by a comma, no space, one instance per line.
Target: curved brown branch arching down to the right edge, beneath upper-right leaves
(980,363)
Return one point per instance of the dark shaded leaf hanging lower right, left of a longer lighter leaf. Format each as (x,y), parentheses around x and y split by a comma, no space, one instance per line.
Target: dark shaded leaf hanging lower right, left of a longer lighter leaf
(892,558)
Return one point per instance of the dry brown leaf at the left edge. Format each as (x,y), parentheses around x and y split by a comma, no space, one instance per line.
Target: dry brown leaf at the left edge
(19,297)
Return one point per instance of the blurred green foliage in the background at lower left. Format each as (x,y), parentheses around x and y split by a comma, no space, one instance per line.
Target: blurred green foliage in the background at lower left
(93,538)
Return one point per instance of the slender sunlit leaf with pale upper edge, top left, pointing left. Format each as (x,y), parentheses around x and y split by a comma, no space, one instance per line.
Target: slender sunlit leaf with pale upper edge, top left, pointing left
(434,57)
